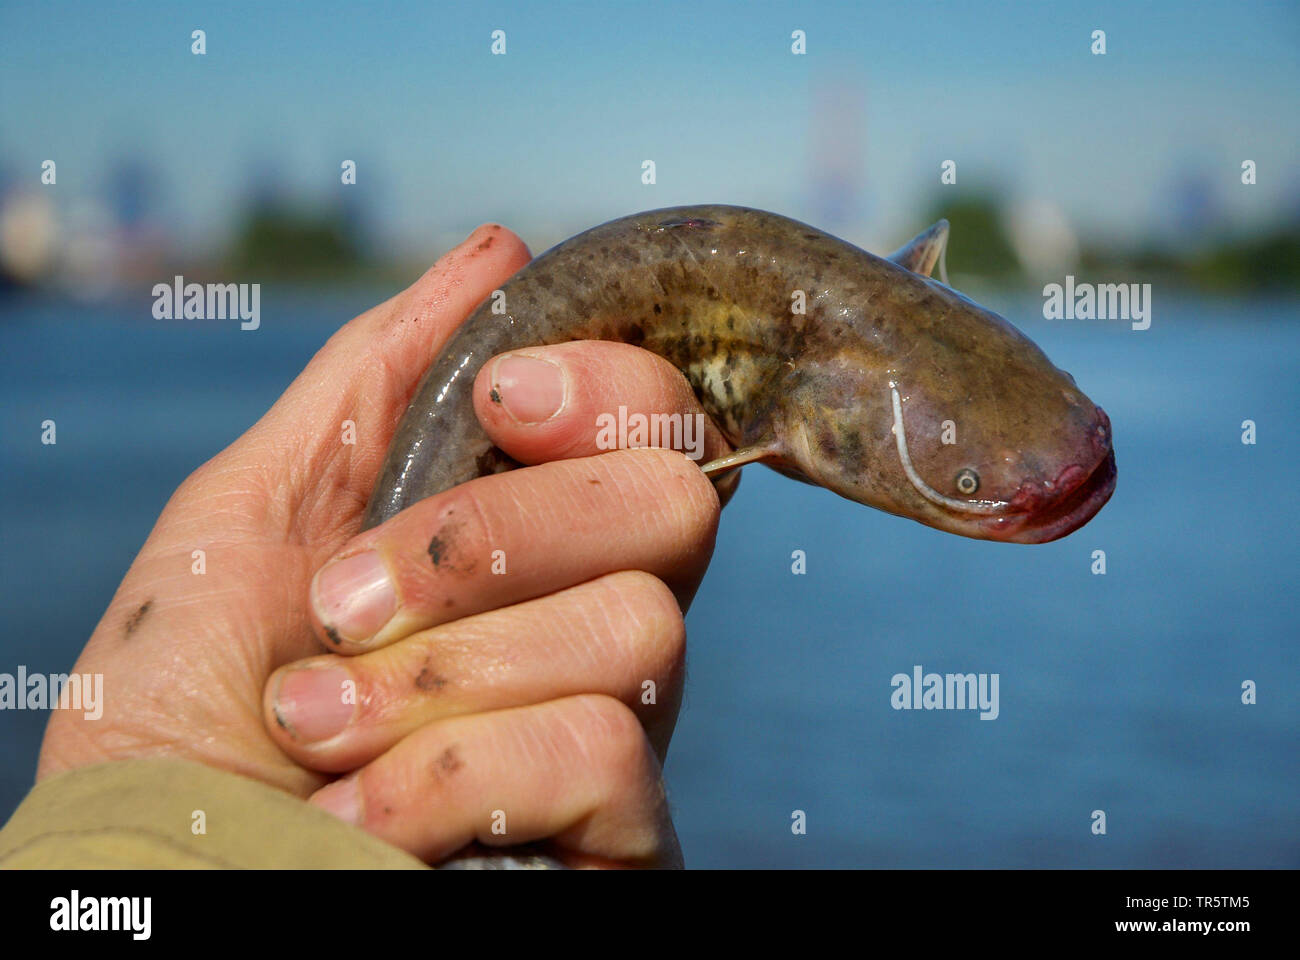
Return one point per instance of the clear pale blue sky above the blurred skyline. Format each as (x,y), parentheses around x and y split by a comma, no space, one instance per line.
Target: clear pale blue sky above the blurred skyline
(551,137)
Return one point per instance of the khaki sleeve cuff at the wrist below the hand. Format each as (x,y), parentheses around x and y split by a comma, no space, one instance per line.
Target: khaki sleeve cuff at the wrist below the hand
(144,814)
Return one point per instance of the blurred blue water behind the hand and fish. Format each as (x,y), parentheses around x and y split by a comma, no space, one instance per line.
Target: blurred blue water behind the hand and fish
(1119,693)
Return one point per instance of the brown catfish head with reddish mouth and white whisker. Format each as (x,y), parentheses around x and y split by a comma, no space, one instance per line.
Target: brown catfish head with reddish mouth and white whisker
(941,410)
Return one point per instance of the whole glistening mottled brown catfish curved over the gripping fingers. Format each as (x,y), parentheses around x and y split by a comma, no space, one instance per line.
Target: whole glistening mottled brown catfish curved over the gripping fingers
(846,370)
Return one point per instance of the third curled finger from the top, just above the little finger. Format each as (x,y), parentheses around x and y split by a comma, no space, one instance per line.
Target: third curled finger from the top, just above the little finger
(621,635)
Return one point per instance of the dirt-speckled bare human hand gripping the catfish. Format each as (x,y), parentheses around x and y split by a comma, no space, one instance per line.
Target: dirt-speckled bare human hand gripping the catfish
(532,708)
